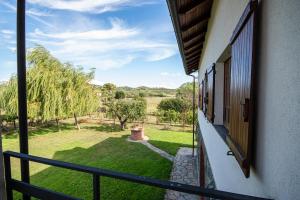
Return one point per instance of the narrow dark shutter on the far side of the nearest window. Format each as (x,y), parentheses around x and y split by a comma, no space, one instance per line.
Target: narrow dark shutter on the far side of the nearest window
(210,93)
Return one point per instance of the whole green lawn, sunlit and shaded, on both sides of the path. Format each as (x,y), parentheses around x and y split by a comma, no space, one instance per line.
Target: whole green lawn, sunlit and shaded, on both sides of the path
(102,146)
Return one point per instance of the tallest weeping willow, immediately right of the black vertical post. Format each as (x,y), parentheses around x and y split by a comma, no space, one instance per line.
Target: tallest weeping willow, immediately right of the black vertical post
(44,85)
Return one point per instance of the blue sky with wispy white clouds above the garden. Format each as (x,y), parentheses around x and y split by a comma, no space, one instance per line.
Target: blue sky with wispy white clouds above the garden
(128,42)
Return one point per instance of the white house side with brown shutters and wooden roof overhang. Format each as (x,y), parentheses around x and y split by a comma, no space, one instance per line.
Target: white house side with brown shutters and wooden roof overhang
(249,100)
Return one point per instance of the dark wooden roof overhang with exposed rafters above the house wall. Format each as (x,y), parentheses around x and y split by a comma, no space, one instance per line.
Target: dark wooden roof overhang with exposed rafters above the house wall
(190,21)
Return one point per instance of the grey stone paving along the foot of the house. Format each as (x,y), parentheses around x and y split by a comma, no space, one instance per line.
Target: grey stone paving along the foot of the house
(184,171)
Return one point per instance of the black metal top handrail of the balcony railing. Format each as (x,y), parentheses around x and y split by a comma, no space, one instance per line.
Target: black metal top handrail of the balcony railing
(97,172)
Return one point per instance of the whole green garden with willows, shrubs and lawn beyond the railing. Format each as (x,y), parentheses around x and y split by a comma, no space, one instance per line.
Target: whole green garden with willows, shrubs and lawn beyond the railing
(72,120)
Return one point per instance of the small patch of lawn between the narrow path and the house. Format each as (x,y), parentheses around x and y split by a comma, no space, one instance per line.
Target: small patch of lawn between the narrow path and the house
(169,140)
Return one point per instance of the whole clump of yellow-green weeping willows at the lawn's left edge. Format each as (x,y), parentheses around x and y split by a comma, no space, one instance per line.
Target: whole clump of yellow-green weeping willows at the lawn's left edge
(55,90)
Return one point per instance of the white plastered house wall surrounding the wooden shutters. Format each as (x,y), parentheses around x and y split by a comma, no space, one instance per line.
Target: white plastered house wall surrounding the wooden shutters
(275,172)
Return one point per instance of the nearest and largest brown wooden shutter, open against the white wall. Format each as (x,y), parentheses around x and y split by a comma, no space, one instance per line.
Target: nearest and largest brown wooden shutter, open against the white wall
(241,88)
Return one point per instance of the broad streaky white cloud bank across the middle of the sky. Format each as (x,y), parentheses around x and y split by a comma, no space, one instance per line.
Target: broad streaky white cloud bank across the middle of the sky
(104,49)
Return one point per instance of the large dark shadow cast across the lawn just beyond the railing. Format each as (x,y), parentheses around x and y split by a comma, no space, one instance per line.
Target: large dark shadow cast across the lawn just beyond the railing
(114,153)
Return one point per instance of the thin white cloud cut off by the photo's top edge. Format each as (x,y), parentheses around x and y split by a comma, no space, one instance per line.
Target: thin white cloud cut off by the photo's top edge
(91,6)
